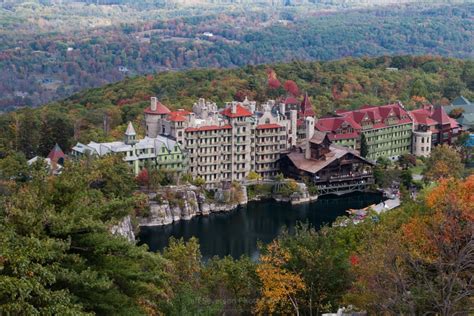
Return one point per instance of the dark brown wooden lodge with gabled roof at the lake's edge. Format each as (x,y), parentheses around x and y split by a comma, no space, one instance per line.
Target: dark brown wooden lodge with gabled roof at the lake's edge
(334,169)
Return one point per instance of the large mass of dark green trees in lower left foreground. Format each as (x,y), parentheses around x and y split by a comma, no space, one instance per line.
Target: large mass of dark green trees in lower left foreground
(70,260)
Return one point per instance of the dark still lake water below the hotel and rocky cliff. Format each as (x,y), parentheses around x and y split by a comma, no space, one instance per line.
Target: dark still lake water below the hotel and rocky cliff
(238,232)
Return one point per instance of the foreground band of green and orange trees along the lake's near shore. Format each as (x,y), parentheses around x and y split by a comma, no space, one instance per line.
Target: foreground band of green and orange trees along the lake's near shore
(57,255)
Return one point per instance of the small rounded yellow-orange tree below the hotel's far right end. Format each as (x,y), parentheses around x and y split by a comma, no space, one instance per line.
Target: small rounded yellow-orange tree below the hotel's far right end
(444,162)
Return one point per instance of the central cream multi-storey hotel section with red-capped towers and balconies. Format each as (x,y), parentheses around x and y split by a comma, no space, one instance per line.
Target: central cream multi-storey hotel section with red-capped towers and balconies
(226,144)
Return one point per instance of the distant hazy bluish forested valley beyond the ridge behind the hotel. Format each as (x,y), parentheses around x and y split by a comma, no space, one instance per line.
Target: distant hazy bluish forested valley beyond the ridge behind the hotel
(51,52)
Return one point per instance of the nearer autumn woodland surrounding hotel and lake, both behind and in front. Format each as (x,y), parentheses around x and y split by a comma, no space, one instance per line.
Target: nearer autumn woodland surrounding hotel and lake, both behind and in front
(58,256)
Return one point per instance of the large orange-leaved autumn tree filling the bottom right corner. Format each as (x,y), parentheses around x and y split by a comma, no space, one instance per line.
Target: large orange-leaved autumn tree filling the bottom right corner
(420,257)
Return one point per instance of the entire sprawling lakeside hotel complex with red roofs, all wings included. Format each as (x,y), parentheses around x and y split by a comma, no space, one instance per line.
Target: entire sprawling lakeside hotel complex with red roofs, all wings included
(225,144)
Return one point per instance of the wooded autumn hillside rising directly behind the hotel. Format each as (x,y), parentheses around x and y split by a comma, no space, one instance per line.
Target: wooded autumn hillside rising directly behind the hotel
(347,83)
